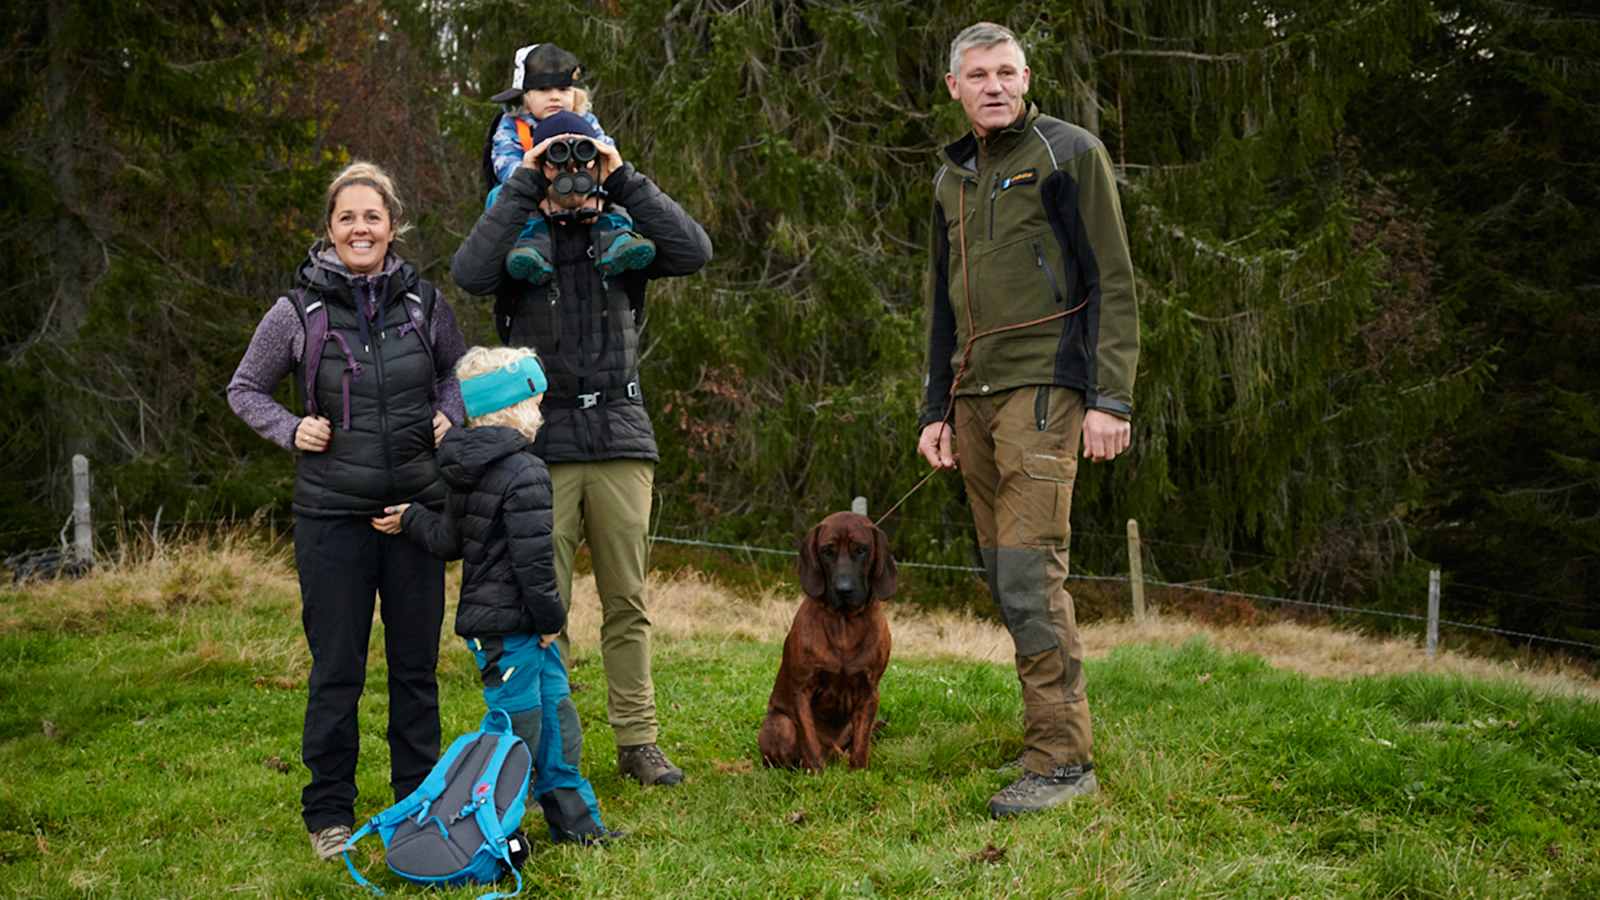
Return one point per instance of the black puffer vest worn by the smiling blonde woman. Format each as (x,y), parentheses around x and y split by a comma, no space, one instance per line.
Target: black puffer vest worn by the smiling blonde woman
(386,452)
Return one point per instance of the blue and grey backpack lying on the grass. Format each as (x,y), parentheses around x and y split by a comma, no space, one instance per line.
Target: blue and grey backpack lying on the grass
(460,827)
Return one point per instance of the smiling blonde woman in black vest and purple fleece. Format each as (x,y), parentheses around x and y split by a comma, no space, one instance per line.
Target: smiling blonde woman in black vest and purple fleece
(372,348)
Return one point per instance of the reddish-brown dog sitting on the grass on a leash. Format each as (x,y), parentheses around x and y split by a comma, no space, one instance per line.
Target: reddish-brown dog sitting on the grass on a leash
(826,699)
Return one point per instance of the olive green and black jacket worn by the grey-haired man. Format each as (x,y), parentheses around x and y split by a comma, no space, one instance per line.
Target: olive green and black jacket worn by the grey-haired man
(1028,225)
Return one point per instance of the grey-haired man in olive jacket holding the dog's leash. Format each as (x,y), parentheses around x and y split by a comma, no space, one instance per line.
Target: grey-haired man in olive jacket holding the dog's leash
(1033,340)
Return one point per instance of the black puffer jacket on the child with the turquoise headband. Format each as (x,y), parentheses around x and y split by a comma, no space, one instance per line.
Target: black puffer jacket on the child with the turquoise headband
(498,520)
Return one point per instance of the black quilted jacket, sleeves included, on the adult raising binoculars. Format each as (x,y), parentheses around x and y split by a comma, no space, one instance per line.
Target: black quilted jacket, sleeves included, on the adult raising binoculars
(585,327)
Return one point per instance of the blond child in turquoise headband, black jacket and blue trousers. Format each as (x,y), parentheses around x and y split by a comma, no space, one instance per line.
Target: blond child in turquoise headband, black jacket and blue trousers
(498,521)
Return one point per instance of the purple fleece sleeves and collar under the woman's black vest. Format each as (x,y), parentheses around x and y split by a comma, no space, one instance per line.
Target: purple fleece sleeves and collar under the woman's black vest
(279,344)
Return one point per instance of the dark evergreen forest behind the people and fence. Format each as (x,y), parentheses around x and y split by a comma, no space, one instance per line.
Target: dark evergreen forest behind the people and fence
(1366,235)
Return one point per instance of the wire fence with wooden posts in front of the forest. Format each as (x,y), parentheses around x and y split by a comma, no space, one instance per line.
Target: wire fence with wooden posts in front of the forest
(81,553)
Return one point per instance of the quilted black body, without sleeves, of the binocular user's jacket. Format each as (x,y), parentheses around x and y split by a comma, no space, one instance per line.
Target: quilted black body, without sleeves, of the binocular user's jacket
(585,332)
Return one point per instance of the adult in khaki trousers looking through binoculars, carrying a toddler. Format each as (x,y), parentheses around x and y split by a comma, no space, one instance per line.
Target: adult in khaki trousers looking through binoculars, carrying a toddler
(598,440)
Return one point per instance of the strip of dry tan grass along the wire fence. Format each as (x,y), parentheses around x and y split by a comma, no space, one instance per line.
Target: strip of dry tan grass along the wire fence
(242,573)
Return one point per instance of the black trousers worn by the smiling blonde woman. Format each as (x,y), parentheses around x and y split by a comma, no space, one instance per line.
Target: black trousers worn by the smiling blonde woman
(343,566)
